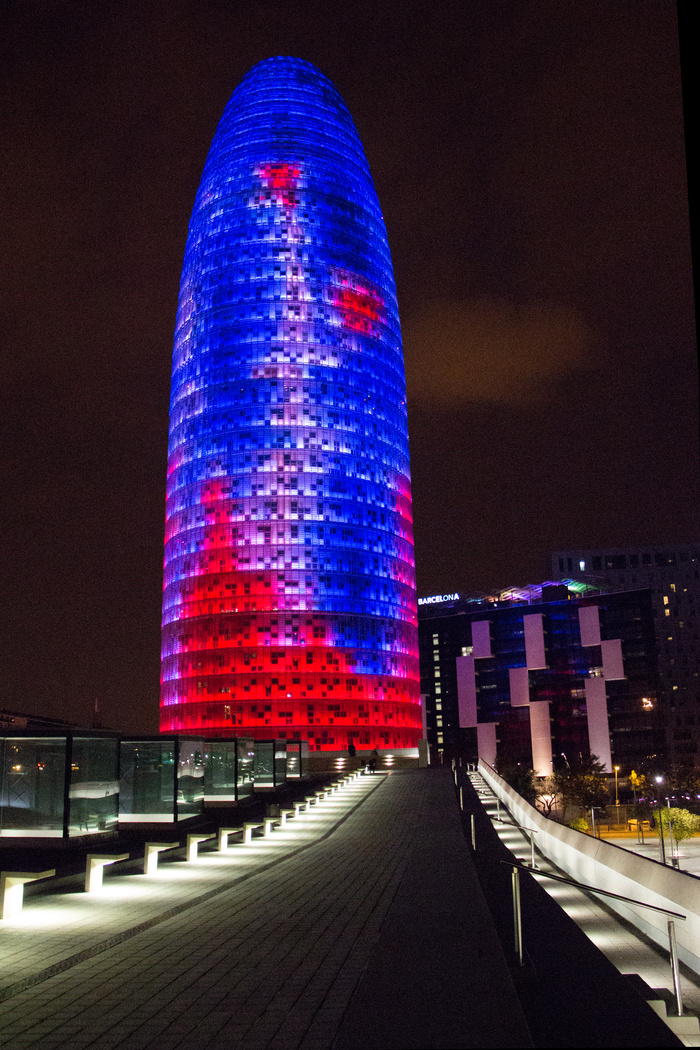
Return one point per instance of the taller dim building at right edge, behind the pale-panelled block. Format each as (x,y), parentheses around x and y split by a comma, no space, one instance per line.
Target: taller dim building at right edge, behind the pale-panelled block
(672,574)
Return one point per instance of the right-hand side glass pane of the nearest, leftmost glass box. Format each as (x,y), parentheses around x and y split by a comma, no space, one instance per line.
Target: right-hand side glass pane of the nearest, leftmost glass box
(94,788)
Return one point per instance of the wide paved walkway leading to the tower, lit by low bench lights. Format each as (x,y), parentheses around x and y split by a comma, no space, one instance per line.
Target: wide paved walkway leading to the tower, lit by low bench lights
(278,944)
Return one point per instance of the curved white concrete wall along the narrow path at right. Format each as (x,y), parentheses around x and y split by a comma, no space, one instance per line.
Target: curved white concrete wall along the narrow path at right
(599,864)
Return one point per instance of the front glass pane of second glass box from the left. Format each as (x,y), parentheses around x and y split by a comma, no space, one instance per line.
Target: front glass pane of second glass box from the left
(147,782)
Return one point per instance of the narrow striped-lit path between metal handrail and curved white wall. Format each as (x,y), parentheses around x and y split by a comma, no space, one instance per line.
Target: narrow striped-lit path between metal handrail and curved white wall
(630,952)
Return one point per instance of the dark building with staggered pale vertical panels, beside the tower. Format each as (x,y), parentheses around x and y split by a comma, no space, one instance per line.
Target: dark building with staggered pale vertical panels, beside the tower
(543,676)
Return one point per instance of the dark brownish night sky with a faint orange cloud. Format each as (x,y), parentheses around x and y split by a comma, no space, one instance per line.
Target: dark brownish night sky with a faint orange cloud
(529,159)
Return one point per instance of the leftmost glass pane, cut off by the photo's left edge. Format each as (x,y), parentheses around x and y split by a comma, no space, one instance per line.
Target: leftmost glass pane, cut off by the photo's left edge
(33,787)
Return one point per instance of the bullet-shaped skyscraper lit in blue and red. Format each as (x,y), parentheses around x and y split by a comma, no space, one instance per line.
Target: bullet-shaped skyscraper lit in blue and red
(289,596)
